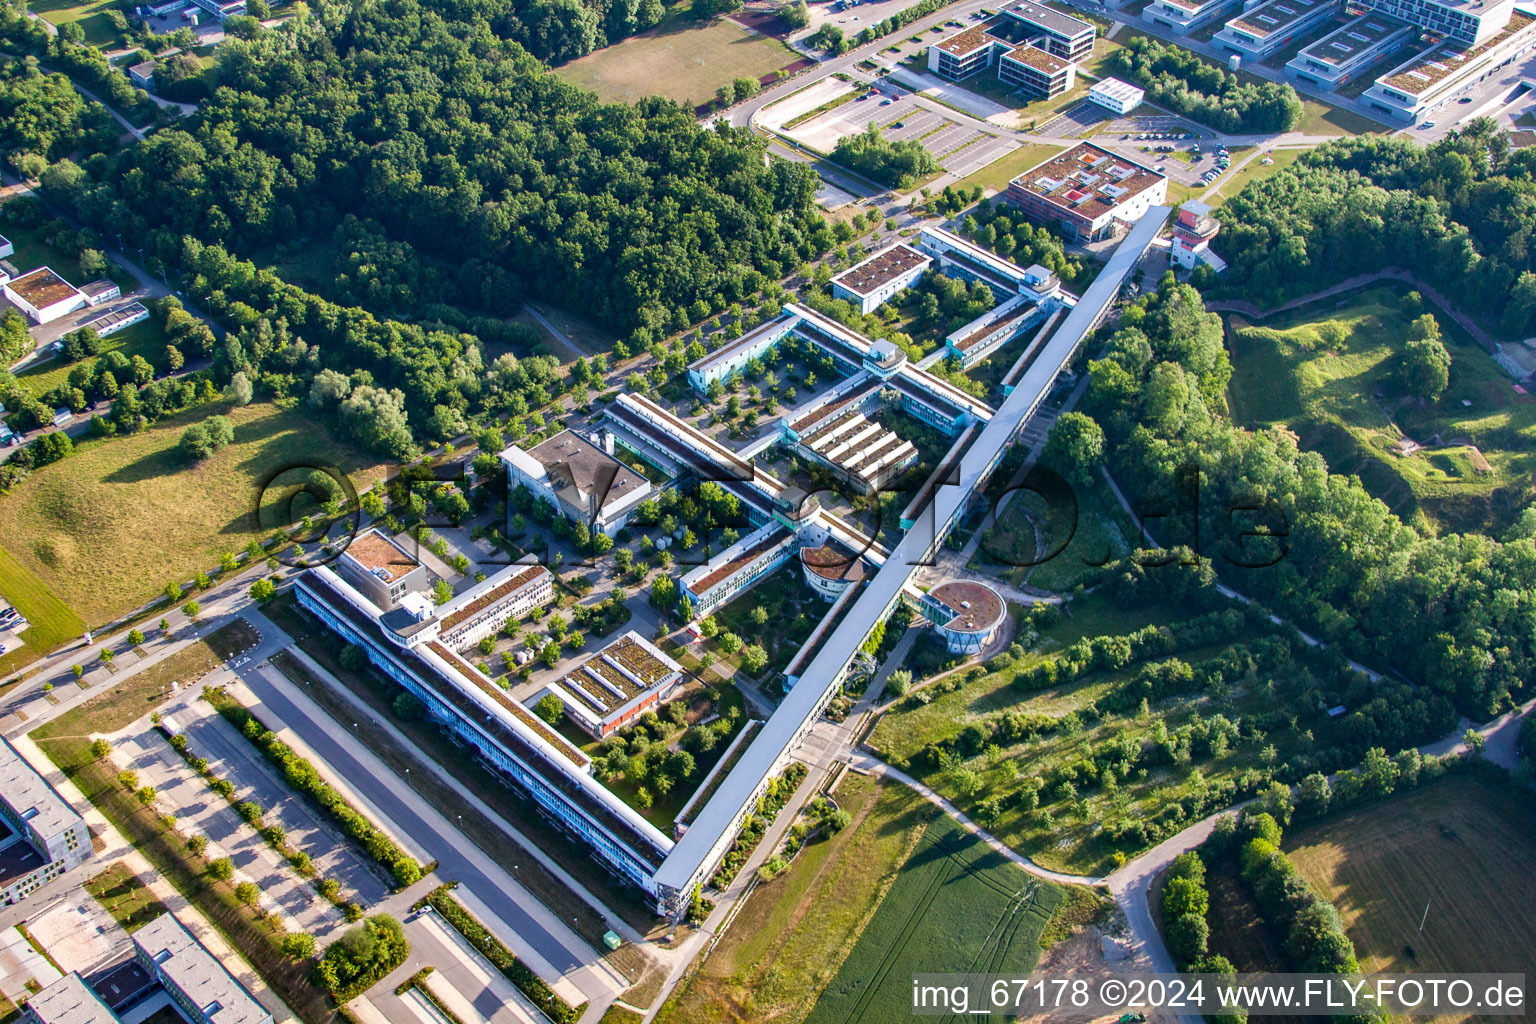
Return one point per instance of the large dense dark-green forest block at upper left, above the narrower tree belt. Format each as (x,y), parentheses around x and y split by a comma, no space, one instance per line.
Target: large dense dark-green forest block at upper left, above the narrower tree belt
(474,174)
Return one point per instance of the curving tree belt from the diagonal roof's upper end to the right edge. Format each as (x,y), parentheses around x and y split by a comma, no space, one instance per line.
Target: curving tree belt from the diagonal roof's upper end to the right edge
(1452,613)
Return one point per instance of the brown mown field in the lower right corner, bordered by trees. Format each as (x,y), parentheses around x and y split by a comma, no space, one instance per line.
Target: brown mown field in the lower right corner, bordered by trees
(1462,848)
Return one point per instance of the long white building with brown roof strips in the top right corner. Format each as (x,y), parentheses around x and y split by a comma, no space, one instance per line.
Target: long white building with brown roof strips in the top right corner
(1431,79)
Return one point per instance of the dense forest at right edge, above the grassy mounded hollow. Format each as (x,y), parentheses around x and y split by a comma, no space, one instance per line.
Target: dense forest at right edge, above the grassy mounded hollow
(1460,213)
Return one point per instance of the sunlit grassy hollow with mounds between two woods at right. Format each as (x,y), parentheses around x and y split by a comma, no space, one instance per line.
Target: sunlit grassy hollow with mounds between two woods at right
(1329,377)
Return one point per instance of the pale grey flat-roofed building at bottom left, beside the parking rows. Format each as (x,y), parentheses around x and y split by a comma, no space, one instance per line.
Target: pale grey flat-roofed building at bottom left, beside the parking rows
(202,988)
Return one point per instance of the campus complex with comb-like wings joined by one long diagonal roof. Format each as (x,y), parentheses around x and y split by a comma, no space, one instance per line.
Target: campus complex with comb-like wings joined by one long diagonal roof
(377,601)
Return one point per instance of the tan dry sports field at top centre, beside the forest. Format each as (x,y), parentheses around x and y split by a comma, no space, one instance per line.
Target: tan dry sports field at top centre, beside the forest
(681,61)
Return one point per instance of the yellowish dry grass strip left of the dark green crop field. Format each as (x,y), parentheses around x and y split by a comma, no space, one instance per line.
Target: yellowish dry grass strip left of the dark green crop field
(798,930)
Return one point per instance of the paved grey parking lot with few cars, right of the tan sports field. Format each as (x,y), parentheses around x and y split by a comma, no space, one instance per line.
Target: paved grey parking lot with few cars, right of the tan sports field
(959,148)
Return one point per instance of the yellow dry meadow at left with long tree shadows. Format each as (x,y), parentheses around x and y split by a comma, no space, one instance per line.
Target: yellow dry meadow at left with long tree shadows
(107,529)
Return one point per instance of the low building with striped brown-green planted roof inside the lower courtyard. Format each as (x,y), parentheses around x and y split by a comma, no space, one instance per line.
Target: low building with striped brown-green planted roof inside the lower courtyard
(618,685)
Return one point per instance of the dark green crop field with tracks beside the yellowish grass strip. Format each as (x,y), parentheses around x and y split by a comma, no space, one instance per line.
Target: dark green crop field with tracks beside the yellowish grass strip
(958,907)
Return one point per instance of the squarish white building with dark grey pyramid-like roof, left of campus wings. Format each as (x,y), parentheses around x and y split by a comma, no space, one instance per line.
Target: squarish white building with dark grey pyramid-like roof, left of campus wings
(580,480)
